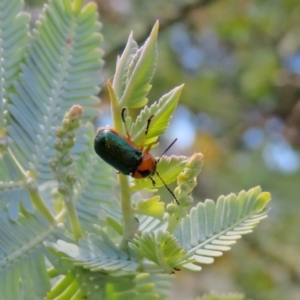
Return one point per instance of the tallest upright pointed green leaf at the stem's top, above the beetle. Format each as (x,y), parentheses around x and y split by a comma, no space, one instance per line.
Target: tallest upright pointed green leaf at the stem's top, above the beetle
(140,73)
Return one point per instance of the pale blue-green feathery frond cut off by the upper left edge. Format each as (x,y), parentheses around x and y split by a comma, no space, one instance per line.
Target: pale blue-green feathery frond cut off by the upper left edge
(13,39)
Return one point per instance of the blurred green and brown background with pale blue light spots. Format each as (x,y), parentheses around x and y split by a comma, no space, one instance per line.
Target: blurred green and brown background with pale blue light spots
(240,62)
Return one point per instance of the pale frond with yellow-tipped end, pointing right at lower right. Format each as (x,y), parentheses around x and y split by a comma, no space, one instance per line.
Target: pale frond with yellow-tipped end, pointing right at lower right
(210,229)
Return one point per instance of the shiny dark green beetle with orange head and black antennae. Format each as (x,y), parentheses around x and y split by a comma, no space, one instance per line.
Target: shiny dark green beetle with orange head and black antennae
(120,152)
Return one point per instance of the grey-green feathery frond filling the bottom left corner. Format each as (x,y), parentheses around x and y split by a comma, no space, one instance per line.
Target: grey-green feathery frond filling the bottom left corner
(22,265)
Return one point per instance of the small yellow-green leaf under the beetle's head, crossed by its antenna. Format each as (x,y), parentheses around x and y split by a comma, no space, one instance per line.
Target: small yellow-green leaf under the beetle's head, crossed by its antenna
(168,168)
